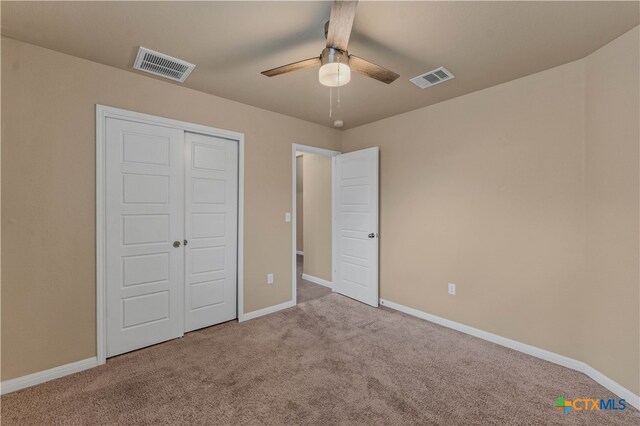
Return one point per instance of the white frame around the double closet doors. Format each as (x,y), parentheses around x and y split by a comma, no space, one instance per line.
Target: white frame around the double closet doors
(102,113)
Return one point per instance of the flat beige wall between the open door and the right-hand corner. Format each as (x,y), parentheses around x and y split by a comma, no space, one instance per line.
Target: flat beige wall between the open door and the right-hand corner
(486,191)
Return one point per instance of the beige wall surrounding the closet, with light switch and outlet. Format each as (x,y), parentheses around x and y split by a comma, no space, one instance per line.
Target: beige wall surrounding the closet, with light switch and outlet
(48,194)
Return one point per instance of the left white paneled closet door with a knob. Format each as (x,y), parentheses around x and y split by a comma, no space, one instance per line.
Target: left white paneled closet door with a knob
(144,217)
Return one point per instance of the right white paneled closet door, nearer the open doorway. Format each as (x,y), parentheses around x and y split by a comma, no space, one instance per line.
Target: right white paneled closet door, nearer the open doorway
(211,230)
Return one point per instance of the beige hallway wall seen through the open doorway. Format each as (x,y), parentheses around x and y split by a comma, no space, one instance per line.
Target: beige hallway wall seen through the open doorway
(317,216)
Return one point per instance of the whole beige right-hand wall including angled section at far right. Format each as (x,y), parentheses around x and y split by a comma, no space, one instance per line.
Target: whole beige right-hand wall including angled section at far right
(503,193)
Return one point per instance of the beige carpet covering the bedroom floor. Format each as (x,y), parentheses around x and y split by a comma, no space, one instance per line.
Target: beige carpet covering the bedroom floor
(328,361)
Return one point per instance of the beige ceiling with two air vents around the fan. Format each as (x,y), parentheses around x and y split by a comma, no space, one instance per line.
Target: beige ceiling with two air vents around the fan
(481,43)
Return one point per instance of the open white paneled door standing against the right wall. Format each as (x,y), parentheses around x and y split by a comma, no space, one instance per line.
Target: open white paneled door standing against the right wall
(356,212)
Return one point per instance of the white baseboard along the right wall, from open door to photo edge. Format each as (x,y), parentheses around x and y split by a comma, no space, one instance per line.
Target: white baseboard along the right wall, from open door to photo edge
(555,358)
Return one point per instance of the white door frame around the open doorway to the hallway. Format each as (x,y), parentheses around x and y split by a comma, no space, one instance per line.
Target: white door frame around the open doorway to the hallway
(294,167)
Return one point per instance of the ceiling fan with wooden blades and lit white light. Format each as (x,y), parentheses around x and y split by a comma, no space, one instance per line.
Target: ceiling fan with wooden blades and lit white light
(335,61)
